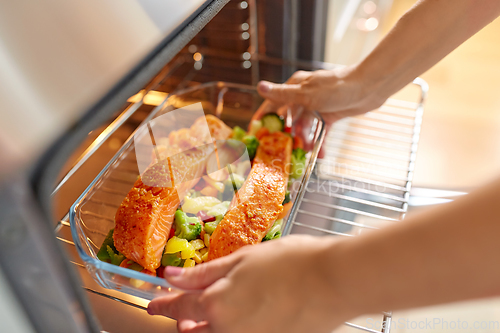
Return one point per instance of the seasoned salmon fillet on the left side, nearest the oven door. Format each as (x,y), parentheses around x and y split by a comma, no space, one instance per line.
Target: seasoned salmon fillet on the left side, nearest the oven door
(144,218)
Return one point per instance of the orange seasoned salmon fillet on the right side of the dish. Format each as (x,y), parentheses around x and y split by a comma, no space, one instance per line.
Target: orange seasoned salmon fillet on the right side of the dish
(258,203)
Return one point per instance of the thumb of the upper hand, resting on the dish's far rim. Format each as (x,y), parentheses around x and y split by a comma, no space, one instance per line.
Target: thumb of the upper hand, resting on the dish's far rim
(282,93)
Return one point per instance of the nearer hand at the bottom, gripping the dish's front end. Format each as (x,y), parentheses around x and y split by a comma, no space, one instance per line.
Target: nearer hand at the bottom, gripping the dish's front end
(277,286)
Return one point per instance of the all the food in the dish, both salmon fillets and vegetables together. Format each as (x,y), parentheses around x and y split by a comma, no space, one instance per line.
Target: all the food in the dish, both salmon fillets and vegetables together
(209,216)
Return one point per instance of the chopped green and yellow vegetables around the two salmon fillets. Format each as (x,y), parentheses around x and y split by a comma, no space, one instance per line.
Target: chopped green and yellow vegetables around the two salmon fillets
(204,207)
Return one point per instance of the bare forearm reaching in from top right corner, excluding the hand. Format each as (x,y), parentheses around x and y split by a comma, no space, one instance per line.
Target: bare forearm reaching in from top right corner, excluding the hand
(420,39)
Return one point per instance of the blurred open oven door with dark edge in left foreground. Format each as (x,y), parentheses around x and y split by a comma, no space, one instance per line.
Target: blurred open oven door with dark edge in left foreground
(66,67)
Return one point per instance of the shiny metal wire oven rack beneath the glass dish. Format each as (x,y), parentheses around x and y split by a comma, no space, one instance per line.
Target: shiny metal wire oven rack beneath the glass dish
(362,182)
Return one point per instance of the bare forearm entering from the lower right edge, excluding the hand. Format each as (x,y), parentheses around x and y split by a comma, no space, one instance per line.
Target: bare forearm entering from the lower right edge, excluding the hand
(449,253)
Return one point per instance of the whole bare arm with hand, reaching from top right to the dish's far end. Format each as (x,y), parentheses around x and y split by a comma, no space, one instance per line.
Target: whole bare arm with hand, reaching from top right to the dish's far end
(420,39)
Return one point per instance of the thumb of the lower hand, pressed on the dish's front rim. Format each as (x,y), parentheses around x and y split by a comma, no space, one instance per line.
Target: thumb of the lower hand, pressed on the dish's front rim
(201,276)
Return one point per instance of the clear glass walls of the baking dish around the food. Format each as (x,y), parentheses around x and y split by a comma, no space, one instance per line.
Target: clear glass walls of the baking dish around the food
(92,215)
